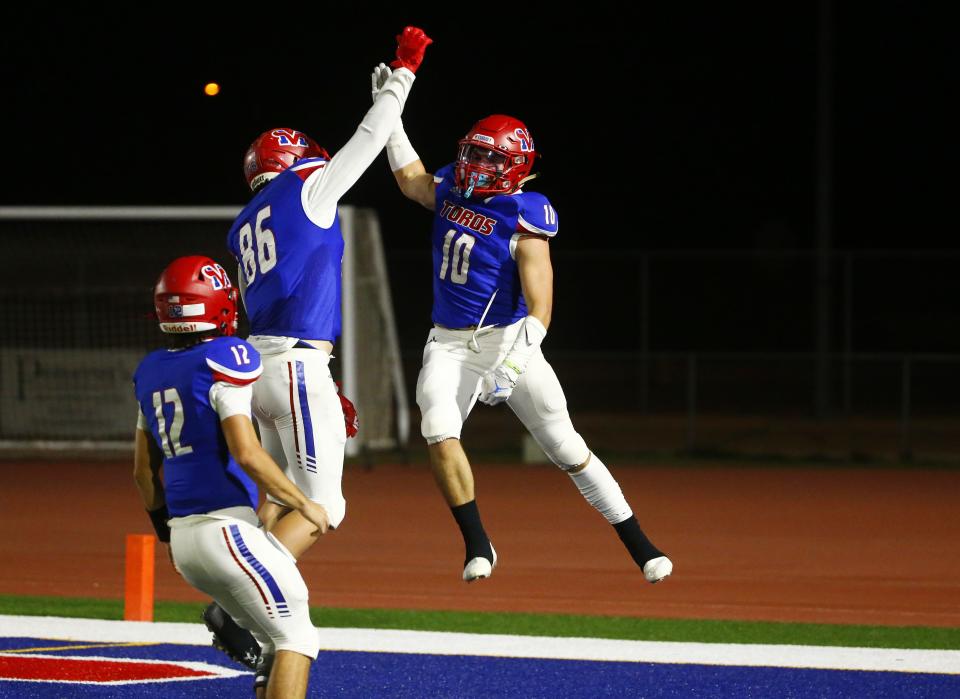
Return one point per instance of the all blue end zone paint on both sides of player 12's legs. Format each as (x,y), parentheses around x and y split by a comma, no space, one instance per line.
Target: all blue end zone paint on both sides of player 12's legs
(355,675)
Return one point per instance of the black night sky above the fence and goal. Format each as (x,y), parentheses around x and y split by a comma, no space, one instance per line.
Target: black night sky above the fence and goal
(668,128)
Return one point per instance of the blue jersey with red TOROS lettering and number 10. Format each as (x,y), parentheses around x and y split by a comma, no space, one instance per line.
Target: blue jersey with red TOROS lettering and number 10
(473,244)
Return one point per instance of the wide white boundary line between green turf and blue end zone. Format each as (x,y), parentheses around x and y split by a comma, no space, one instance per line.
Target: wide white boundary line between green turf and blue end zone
(446,643)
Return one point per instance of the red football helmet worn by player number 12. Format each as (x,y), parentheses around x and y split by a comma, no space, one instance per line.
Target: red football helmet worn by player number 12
(194,294)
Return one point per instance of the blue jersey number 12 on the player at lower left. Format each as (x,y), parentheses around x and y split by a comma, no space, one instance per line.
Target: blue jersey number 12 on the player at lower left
(173,390)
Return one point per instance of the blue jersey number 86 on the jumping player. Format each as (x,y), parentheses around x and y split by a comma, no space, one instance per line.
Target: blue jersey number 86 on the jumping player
(290,264)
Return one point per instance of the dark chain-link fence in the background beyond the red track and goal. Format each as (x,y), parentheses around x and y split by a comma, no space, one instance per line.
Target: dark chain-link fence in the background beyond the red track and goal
(674,350)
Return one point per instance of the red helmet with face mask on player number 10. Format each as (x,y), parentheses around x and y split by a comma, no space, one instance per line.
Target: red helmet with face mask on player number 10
(495,156)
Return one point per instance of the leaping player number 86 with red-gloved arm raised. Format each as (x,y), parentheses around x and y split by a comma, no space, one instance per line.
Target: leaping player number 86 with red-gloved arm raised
(288,245)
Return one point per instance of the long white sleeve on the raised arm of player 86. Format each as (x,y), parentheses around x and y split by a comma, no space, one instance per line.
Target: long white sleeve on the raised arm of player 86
(324,187)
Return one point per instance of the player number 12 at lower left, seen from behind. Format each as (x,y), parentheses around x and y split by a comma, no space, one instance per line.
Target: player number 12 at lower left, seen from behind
(194,428)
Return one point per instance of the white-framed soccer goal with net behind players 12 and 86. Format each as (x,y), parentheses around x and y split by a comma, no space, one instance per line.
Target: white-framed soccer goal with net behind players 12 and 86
(74,304)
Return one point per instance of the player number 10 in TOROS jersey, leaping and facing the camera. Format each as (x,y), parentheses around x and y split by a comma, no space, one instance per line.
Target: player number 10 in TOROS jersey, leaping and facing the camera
(493,299)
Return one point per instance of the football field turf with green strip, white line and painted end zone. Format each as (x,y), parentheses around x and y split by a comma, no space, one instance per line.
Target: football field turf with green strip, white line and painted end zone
(392,653)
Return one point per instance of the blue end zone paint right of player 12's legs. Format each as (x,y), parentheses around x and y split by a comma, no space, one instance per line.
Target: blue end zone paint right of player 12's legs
(412,676)
